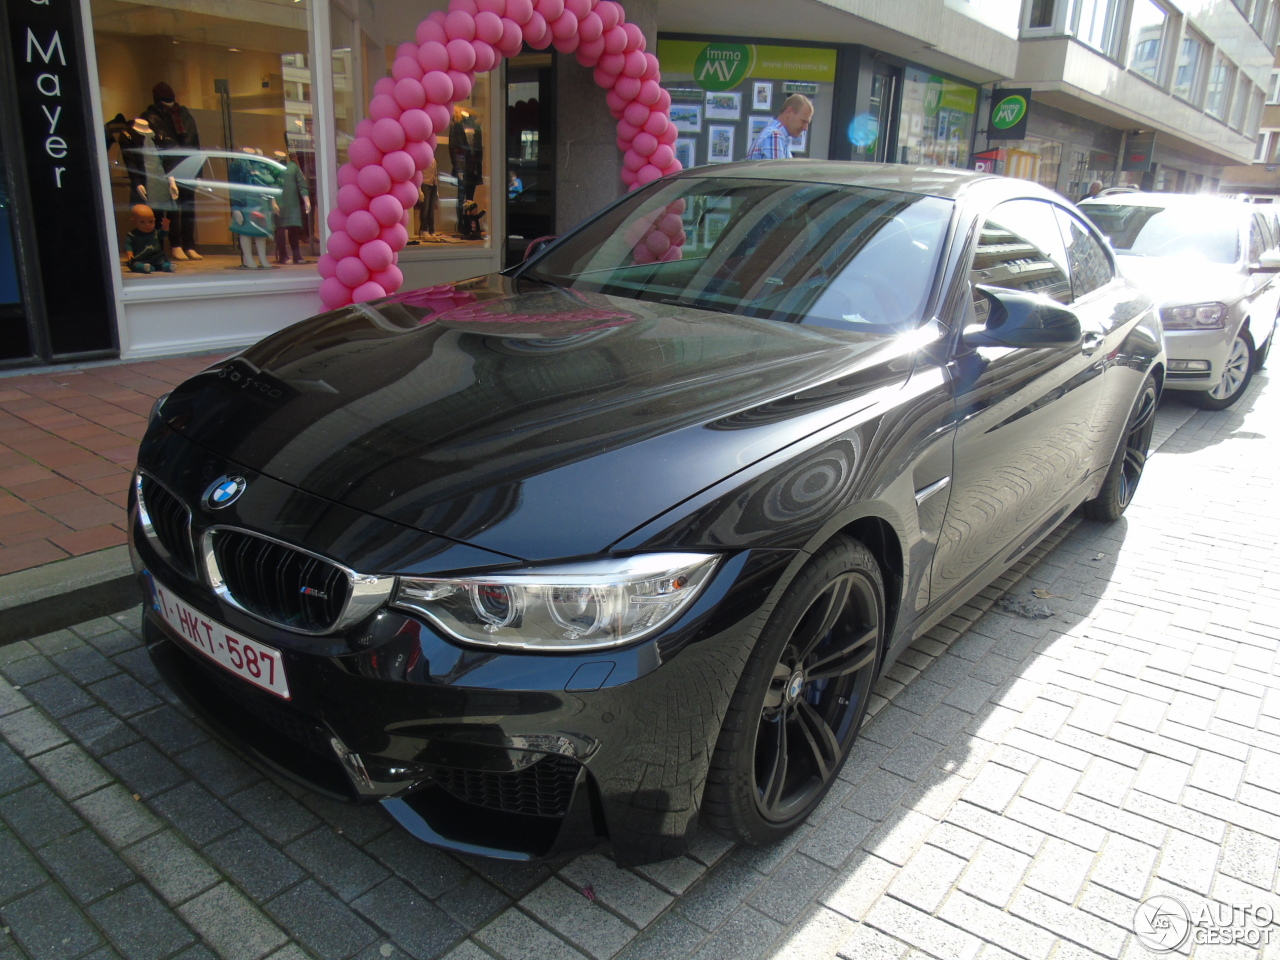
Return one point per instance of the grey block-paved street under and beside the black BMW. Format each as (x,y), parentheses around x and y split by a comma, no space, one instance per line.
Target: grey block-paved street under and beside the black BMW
(1023,787)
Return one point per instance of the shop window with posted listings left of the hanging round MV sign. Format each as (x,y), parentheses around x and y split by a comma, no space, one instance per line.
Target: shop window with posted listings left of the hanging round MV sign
(938,120)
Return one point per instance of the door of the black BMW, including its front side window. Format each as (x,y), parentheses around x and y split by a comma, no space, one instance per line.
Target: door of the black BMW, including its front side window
(1026,436)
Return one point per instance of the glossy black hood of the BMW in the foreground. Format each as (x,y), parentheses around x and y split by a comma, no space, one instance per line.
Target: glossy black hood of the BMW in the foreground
(538,423)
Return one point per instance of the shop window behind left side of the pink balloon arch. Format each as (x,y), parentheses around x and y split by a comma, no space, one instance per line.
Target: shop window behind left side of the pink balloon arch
(458,199)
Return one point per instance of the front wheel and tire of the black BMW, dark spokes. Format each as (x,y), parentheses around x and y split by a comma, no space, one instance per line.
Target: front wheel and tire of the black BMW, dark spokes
(801,700)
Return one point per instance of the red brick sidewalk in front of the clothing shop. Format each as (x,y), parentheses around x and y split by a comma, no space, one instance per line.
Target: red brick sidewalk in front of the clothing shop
(68,441)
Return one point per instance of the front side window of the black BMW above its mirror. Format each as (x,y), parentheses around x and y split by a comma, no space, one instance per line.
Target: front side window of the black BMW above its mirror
(1021,249)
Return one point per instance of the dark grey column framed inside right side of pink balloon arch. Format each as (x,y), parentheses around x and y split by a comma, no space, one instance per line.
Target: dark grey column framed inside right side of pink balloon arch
(588,161)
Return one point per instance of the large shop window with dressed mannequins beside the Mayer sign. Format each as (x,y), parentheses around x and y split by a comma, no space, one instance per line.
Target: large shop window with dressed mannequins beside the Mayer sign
(208,121)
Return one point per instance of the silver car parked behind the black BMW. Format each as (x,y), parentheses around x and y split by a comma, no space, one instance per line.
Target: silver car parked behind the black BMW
(1212,266)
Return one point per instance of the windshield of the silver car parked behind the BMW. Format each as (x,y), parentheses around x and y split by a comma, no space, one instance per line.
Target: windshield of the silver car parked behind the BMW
(1200,232)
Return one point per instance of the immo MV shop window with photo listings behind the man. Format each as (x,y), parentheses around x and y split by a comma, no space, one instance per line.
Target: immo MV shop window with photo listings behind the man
(723,95)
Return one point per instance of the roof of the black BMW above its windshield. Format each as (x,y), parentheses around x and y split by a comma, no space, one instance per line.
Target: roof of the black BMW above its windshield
(931,181)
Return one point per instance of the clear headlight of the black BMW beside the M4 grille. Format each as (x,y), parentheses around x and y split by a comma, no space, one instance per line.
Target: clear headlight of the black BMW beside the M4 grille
(574,607)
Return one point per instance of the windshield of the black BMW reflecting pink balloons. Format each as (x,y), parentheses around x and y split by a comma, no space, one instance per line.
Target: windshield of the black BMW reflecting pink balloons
(844,258)
